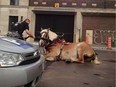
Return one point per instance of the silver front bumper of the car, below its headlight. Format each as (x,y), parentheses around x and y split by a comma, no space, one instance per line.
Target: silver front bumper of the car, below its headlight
(21,75)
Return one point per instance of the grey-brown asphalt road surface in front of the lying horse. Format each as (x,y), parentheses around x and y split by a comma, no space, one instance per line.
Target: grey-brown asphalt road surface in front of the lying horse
(61,74)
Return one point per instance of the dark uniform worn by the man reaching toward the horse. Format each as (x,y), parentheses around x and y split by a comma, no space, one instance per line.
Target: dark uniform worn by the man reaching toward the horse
(20,28)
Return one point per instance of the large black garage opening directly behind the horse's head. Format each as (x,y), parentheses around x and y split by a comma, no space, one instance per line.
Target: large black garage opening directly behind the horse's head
(59,23)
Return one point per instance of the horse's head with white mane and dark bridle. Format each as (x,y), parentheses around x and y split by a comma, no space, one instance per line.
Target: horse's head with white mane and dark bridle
(47,36)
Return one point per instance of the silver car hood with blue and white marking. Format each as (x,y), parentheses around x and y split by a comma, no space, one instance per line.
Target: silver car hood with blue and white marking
(15,45)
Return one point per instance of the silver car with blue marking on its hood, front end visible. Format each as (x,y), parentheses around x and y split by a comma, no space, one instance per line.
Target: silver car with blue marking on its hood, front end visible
(21,63)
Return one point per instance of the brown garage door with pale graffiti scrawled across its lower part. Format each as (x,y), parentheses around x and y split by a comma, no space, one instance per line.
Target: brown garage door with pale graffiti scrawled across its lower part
(102,26)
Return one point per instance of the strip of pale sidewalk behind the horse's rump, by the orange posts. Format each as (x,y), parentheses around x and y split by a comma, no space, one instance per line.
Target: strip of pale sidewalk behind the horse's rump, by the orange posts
(102,47)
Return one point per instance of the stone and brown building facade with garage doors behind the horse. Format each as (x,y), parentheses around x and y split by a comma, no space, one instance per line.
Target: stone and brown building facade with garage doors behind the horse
(77,19)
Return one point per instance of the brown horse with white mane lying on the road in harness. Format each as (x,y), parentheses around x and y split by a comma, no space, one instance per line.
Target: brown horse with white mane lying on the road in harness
(73,52)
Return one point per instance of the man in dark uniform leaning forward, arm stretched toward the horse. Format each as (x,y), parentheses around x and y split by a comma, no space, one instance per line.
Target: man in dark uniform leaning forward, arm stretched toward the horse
(19,28)
